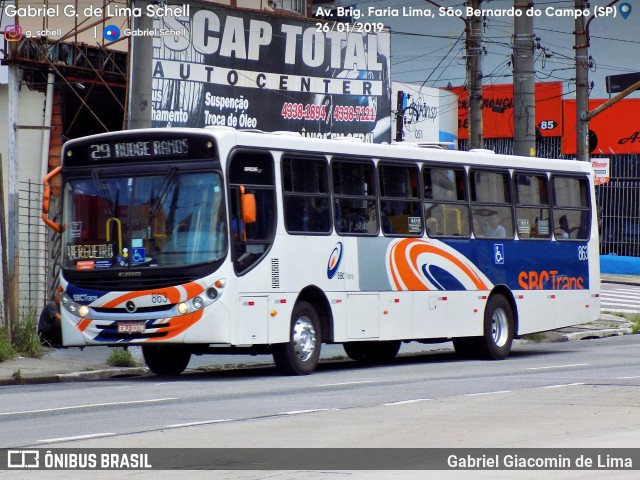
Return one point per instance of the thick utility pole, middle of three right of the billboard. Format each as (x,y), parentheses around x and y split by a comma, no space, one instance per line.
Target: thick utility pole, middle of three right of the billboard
(524,138)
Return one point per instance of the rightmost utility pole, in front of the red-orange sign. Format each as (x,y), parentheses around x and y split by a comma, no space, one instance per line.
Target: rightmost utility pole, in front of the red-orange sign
(582,84)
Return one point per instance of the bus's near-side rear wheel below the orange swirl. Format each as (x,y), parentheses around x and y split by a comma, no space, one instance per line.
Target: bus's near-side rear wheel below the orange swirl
(495,344)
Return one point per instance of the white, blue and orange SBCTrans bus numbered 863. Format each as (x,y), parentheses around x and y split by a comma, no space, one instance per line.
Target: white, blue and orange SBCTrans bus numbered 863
(193,241)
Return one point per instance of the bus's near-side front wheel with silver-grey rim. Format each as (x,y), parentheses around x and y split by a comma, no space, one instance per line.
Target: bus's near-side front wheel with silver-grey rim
(300,355)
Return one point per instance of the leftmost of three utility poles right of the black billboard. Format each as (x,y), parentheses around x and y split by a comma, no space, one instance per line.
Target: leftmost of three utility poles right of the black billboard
(474,75)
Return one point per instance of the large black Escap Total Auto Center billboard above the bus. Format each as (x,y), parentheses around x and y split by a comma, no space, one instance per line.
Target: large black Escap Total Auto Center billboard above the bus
(267,72)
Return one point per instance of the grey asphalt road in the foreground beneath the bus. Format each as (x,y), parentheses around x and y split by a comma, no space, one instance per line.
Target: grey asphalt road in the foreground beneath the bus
(531,387)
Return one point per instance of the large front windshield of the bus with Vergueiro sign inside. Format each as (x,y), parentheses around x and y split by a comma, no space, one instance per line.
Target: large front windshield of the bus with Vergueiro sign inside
(167,219)
